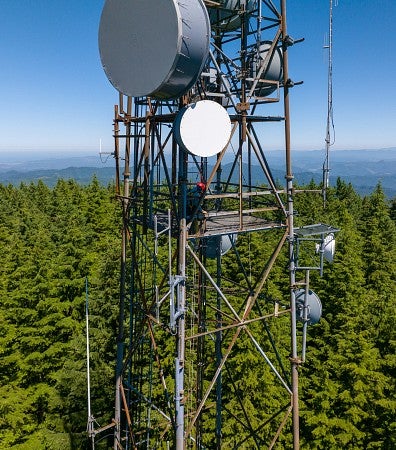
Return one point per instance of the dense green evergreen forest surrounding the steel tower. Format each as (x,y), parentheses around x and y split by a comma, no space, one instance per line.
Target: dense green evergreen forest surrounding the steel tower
(54,239)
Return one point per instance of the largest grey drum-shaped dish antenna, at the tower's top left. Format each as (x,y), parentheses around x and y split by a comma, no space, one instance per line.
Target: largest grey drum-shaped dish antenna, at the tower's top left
(154,48)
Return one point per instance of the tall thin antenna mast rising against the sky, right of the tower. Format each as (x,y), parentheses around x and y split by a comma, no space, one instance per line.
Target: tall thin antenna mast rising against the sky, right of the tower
(330,123)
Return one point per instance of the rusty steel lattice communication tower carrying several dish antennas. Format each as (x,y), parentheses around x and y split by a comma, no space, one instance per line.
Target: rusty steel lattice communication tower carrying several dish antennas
(197,80)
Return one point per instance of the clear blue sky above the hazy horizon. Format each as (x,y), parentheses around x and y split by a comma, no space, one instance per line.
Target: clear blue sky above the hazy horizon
(56,97)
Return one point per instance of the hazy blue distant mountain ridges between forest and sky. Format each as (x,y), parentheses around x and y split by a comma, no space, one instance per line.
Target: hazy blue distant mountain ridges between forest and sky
(363,168)
